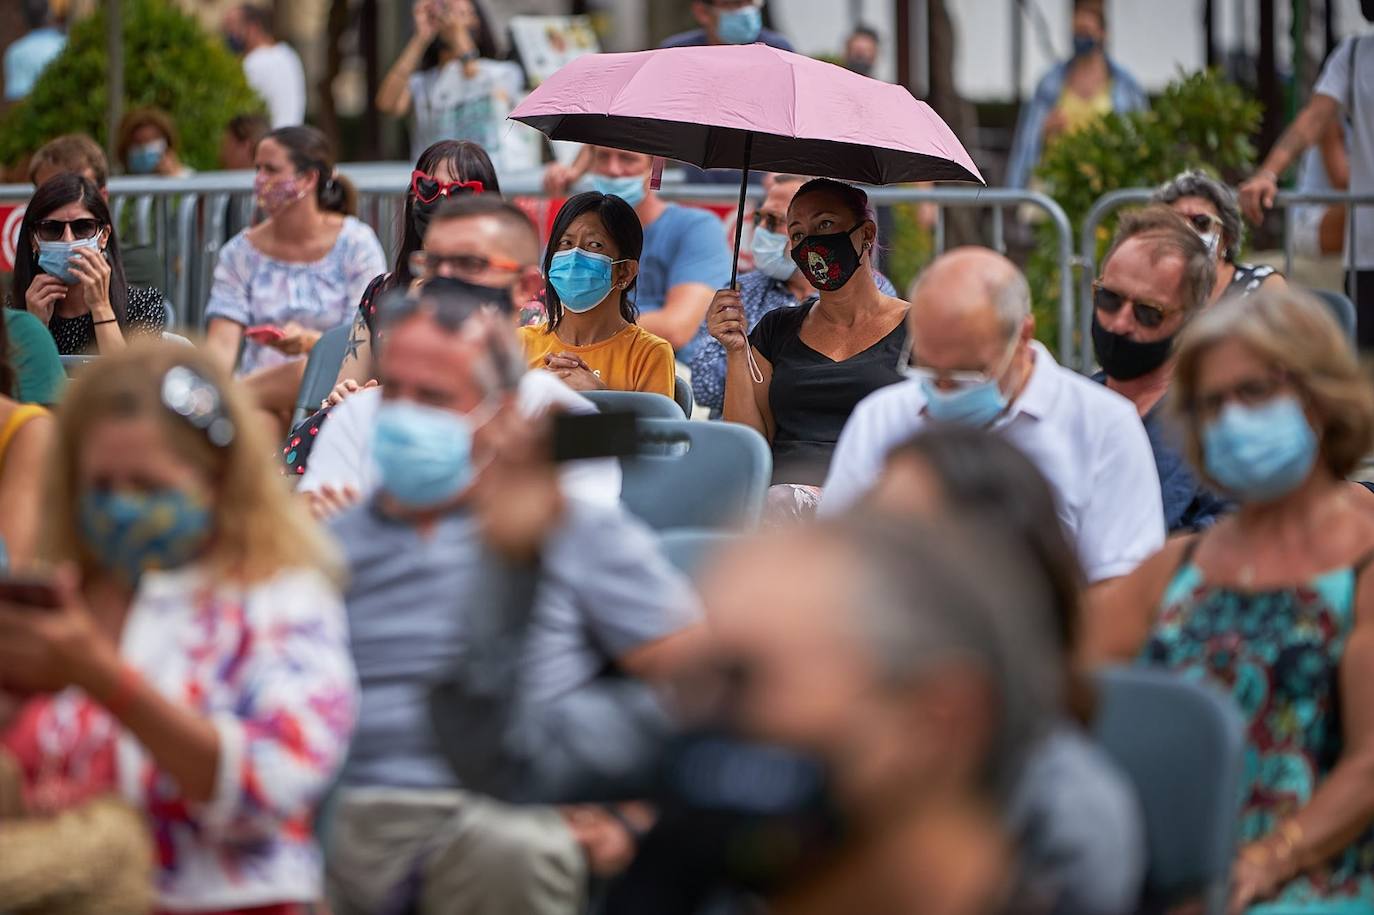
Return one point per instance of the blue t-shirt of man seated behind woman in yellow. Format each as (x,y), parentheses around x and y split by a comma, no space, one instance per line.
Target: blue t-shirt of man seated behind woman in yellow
(685,245)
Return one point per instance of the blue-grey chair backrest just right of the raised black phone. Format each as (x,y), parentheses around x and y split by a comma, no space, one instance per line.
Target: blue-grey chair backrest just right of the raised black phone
(690,475)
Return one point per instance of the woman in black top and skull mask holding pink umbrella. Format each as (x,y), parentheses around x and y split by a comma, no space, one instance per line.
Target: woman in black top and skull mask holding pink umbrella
(802,372)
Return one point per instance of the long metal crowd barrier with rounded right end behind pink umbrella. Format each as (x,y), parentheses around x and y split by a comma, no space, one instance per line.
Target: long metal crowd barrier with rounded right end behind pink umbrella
(189,221)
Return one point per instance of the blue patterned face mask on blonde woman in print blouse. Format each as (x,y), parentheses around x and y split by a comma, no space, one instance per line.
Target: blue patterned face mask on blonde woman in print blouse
(137,532)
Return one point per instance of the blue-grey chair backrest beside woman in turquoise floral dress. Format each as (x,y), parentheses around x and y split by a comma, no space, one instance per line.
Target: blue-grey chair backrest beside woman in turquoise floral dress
(1182,744)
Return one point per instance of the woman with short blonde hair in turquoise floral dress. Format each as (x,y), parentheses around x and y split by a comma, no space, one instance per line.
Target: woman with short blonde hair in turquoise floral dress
(1276,604)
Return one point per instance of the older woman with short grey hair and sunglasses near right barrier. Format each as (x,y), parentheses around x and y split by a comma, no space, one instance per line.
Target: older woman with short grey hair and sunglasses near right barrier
(1211,208)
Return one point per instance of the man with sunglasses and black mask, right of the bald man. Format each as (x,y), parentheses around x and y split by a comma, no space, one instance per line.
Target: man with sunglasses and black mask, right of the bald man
(1158,275)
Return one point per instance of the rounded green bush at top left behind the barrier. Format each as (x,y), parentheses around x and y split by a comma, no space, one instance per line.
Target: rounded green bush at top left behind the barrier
(170,63)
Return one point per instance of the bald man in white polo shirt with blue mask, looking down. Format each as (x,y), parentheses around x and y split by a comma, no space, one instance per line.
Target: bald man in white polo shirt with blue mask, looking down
(976,362)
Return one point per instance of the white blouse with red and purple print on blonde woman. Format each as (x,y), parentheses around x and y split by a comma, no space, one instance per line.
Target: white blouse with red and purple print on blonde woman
(269,666)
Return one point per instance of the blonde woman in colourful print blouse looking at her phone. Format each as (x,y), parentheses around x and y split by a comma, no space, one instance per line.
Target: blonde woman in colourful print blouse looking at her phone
(193,655)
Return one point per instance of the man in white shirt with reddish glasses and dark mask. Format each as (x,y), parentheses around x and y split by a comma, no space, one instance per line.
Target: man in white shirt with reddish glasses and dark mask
(491,248)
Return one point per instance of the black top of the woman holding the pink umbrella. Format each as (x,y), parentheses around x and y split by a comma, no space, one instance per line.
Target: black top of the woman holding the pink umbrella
(811,395)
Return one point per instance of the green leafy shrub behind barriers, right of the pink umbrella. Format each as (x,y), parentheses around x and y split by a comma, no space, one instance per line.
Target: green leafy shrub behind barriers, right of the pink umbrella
(1202,122)
